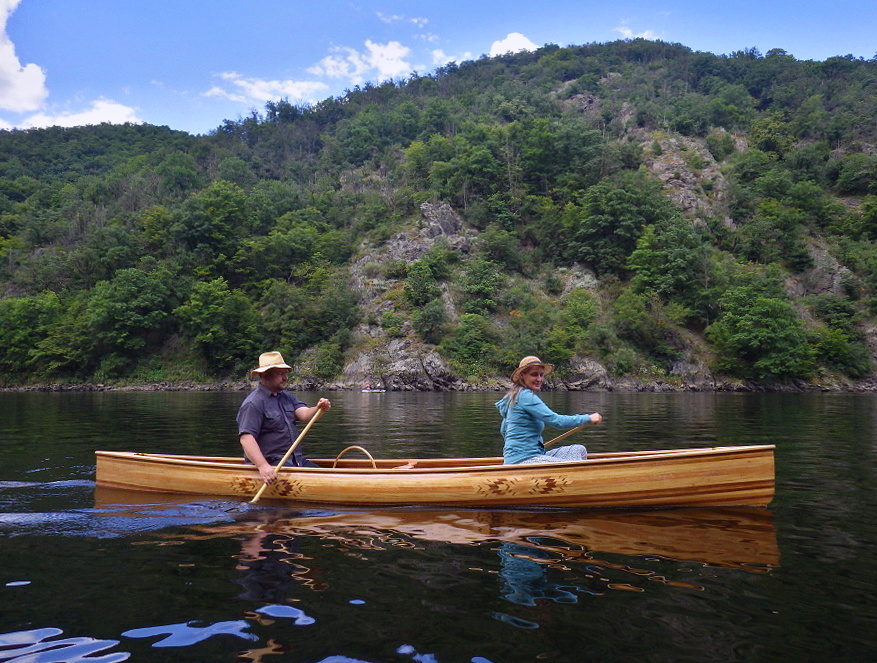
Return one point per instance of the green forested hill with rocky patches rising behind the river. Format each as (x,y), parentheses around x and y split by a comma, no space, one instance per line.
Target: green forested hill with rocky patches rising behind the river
(634,212)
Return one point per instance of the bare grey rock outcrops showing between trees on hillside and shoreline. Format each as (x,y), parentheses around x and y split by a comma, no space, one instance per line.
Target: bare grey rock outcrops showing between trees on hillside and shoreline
(692,179)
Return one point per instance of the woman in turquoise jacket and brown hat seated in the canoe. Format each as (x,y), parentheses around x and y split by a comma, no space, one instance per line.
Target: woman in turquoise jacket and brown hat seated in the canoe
(524,415)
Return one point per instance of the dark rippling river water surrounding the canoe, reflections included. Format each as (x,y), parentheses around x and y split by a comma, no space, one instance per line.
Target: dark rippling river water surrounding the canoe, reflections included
(94,575)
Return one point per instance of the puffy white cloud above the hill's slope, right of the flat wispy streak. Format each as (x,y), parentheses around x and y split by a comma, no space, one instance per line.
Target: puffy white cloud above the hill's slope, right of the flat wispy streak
(381,61)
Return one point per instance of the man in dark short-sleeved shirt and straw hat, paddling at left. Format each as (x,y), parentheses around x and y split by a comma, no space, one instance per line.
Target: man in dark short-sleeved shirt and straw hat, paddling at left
(267,418)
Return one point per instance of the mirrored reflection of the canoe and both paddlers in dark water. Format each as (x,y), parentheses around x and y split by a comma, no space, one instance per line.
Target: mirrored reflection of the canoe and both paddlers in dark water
(544,557)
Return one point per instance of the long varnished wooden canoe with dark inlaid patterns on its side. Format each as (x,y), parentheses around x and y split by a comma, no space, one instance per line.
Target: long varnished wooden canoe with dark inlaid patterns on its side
(705,477)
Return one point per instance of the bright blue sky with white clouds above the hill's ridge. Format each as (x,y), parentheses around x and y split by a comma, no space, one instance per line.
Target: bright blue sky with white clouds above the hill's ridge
(190,64)
